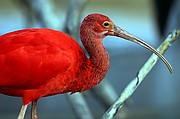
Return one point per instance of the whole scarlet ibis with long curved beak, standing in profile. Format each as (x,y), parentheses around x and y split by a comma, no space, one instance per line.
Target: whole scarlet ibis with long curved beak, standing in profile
(40,62)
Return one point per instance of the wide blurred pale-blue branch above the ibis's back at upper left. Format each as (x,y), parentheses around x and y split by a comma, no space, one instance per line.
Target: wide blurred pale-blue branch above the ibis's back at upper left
(41,11)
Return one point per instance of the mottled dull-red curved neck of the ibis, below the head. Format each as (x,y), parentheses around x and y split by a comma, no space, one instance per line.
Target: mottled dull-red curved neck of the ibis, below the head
(99,61)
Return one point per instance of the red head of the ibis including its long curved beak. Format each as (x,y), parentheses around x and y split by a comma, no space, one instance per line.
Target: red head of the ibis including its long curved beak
(98,26)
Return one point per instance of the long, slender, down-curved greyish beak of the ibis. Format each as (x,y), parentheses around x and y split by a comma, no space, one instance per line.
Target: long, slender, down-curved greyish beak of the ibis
(124,34)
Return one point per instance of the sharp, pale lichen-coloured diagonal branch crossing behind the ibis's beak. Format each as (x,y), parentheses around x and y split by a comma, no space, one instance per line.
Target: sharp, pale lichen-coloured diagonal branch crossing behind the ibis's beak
(131,87)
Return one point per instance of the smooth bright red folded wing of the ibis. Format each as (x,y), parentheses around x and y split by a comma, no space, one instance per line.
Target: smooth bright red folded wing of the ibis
(29,58)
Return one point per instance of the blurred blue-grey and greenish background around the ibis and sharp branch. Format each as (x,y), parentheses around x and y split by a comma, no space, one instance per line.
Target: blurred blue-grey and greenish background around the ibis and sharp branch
(152,20)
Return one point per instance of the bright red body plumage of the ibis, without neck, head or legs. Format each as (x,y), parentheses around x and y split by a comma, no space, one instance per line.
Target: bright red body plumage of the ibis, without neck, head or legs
(39,62)
